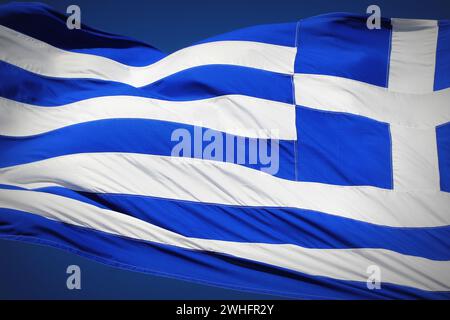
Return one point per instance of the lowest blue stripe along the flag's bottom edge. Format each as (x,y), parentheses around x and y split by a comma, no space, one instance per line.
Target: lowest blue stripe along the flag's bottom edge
(192,265)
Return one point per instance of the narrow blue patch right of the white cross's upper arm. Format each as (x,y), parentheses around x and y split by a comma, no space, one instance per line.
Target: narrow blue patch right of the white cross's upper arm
(442,68)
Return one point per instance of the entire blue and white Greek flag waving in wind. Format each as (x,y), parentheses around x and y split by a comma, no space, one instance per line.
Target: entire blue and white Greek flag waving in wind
(362,120)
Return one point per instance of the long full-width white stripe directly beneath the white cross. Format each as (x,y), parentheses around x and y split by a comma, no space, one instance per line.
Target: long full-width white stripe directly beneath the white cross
(227,183)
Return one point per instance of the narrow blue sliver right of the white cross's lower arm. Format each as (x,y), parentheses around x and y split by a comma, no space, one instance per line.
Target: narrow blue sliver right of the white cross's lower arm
(443,145)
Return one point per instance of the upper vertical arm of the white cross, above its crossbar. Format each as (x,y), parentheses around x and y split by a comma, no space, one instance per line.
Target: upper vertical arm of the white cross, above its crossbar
(413,55)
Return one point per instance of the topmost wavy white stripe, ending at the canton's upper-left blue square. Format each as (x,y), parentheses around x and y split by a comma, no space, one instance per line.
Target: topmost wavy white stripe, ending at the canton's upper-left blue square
(41,58)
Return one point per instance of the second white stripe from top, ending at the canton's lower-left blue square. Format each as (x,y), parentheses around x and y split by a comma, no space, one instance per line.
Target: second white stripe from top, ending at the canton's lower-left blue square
(233,114)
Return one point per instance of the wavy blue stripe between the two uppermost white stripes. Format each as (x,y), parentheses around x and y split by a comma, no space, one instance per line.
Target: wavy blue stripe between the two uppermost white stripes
(191,84)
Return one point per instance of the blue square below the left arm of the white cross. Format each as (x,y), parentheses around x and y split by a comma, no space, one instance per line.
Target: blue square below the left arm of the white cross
(343,149)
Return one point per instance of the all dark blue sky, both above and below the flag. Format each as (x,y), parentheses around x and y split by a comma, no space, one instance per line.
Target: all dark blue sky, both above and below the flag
(31,271)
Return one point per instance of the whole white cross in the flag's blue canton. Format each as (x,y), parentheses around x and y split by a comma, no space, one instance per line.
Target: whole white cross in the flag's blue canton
(409,104)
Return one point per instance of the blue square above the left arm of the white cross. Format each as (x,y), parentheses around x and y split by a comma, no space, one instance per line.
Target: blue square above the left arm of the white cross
(341,45)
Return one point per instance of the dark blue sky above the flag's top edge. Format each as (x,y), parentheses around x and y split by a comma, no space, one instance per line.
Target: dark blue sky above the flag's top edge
(173,24)
